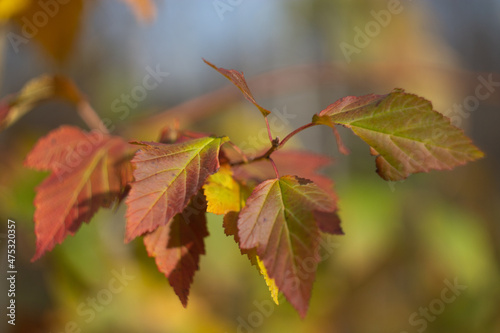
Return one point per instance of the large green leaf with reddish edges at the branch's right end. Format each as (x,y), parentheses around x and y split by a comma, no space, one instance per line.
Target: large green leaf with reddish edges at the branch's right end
(403,131)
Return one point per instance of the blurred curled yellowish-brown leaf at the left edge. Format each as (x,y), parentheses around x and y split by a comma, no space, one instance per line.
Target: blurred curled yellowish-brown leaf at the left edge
(37,91)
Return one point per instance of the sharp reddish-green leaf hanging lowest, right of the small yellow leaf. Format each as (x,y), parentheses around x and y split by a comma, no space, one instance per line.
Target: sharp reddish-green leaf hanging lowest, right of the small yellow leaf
(278,221)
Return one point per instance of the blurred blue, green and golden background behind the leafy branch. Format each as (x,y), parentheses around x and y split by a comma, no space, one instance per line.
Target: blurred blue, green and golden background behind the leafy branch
(406,244)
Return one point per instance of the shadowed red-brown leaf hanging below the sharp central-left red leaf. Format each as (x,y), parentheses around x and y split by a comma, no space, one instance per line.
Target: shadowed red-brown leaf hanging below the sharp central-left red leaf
(177,246)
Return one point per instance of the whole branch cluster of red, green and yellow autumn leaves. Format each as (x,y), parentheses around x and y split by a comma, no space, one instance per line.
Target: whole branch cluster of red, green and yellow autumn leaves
(275,205)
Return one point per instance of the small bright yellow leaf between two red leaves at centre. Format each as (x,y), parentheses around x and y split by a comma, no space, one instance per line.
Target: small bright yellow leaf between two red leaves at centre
(222,192)
